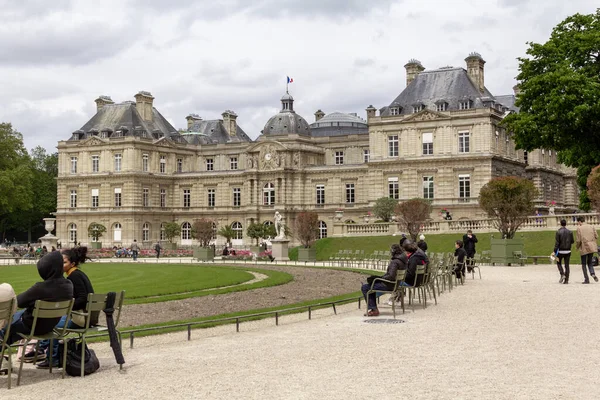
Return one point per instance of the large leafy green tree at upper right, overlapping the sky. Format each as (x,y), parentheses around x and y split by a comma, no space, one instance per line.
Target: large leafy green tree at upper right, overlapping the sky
(559,97)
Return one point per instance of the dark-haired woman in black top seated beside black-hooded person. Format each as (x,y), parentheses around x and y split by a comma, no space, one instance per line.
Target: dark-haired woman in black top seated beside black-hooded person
(72,259)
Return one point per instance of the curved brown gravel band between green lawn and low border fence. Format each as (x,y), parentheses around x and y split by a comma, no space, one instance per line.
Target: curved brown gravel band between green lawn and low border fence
(308,284)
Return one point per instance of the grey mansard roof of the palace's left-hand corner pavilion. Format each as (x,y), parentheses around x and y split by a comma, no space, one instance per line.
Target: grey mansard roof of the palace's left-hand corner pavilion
(125,118)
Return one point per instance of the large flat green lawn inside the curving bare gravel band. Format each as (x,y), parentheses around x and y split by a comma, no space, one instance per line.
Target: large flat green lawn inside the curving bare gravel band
(154,282)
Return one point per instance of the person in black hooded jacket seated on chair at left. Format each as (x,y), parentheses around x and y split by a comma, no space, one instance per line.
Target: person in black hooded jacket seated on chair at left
(54,288)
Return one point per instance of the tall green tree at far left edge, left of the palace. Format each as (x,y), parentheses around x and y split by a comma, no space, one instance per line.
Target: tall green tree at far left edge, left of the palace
(16,178)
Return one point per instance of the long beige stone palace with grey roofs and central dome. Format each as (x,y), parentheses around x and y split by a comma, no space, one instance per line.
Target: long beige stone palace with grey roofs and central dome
(441,139)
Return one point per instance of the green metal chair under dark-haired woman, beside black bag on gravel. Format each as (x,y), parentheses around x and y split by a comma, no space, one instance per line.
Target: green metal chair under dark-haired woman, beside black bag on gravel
(96,303)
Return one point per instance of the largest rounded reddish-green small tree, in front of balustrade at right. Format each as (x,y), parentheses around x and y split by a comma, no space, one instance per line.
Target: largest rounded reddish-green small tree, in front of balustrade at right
(508,201)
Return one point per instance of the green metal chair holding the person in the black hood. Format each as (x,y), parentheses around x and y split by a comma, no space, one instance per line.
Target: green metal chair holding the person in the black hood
(48,309)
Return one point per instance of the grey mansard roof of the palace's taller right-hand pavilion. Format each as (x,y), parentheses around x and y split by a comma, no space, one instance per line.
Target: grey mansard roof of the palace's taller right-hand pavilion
(449,85)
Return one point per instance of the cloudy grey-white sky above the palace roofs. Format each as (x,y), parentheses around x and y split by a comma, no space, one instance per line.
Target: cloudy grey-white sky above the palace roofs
(208,56)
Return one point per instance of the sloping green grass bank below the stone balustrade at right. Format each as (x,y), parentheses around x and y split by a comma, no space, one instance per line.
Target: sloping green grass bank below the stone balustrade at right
(536,243)
